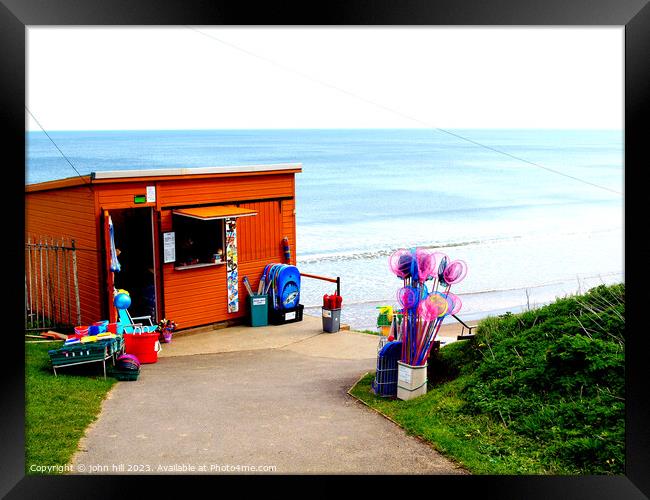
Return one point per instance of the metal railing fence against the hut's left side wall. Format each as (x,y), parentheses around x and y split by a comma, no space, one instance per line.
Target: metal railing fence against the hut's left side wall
(51,284)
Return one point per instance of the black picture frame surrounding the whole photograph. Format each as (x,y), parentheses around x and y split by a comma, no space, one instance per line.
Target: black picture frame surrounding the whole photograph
(633,14)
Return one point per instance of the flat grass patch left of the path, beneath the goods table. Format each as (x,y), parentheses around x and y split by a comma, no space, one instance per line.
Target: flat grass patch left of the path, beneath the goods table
(58,409)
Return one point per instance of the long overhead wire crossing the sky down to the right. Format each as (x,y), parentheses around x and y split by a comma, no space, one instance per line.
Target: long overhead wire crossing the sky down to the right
(400,113)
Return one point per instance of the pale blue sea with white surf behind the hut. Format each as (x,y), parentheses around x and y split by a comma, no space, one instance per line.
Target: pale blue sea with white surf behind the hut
(531,228)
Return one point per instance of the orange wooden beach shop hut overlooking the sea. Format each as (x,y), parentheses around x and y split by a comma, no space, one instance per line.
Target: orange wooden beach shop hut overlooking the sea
(170,229)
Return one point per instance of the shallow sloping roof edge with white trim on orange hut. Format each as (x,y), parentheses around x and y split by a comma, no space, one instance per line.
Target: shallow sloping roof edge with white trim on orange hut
(164,174)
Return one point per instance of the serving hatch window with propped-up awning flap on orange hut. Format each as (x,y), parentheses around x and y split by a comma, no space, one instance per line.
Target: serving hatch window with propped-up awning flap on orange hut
(200,234)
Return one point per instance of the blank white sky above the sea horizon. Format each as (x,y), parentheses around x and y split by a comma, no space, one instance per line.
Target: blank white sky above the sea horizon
(180,78)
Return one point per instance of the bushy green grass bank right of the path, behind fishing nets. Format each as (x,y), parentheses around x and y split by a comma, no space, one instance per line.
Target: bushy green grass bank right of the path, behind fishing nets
(541,392)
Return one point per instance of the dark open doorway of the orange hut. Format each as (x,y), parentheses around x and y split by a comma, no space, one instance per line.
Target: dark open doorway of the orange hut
(134,242)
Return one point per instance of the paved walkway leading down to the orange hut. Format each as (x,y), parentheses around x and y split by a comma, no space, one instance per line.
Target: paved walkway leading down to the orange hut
(280,402)
